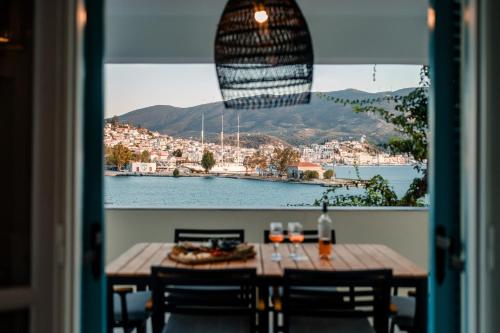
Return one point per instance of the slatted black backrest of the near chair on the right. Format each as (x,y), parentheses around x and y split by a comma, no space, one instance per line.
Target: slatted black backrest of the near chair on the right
(342,294)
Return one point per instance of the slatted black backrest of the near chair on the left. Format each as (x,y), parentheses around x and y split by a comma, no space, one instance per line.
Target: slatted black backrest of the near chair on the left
(224,292)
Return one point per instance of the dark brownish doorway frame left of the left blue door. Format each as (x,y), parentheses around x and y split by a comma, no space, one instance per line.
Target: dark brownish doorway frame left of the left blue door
(51,296)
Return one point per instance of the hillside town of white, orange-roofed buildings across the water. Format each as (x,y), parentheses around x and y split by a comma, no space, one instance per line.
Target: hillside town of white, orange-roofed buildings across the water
(152,152)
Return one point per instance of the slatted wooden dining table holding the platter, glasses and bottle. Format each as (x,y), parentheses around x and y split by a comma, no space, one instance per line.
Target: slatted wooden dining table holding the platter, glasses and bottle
(133,267)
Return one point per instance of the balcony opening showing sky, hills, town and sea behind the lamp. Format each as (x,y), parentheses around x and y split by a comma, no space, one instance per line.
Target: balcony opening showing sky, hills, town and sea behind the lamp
(170,143)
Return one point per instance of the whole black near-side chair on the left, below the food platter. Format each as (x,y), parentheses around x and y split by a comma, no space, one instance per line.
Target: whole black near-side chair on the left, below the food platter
(198,300)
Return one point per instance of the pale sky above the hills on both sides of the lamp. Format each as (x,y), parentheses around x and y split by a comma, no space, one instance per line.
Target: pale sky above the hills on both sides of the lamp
(132,86)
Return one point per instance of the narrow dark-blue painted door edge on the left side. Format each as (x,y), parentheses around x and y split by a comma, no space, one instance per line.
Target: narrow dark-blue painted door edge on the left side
(93,279)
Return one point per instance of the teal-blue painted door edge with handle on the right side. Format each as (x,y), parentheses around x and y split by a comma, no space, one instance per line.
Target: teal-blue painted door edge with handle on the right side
(445,57)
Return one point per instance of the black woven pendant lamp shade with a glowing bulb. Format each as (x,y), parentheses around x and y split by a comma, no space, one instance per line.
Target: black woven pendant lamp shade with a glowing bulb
(263,54)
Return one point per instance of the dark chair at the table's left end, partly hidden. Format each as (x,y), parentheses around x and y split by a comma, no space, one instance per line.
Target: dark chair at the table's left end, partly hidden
(130,310)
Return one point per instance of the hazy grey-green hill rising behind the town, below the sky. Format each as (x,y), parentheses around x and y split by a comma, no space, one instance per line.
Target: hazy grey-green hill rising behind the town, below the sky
(303,124)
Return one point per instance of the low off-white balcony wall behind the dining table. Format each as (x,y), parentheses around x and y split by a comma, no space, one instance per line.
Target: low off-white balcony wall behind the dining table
(404,230)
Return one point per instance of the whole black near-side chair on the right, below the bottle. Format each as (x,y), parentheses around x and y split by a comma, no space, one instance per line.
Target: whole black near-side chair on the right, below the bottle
(355,297)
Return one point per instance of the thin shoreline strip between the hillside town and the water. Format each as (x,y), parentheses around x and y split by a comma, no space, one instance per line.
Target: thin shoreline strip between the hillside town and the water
(336,182)
